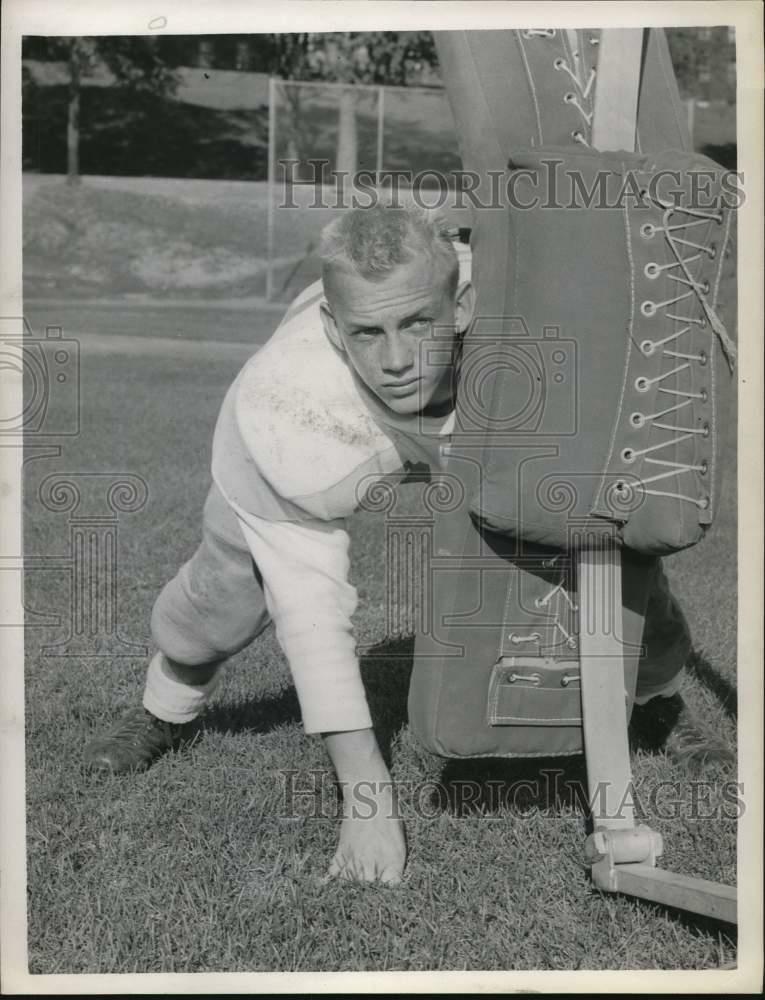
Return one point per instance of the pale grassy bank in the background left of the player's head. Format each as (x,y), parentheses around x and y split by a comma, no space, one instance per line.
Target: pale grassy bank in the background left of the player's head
(144,238)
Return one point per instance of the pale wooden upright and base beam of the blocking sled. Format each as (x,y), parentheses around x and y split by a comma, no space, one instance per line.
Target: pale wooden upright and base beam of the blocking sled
(621,853)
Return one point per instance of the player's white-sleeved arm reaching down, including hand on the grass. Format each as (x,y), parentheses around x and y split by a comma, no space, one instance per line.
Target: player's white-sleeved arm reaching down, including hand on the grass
(305,568)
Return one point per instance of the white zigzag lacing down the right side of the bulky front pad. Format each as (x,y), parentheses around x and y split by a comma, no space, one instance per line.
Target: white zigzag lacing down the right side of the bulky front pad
(697,290)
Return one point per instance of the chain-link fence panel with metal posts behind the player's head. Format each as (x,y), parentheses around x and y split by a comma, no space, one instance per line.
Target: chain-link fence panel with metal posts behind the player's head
(320,134)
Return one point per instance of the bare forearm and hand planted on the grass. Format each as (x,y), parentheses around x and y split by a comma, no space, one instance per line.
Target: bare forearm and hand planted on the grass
(372,846)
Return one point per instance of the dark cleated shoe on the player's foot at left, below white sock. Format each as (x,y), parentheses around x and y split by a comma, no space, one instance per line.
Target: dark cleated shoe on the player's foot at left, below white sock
(134,743)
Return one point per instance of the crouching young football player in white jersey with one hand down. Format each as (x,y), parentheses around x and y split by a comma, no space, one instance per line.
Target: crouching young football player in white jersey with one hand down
(343,392)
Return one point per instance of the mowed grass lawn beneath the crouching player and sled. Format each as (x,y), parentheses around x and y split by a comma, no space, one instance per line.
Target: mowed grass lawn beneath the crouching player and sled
(205,863)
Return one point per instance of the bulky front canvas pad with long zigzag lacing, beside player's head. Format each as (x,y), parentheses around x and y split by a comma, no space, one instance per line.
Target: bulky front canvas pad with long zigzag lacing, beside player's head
(606,331)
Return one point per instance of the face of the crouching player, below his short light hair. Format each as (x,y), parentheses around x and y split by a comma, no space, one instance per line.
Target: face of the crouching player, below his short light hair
(400,333)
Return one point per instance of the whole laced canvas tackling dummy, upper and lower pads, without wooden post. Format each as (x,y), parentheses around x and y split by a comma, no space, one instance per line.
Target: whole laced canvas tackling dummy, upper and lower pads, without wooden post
(593,384)
